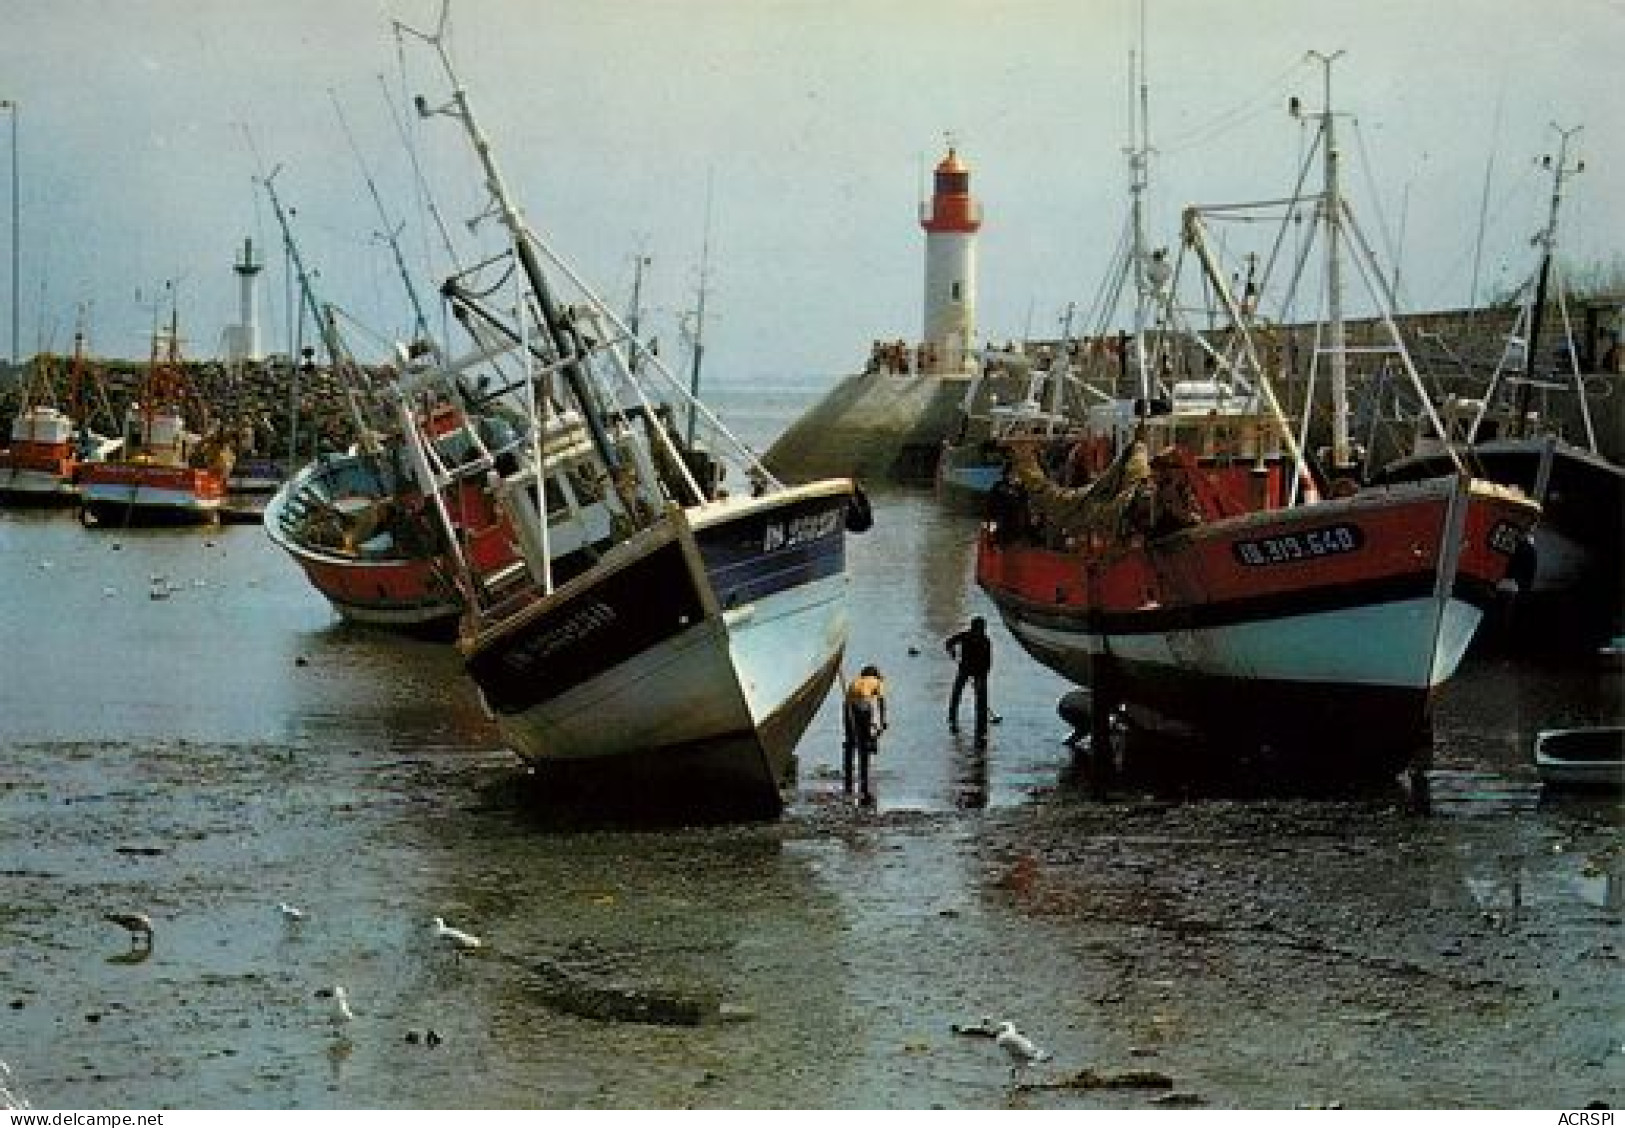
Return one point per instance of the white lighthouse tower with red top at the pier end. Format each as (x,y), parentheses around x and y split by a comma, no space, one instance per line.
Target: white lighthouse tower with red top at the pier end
(951,220)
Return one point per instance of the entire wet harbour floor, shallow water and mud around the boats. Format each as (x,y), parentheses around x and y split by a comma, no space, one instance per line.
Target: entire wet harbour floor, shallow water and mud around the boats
(1255,952)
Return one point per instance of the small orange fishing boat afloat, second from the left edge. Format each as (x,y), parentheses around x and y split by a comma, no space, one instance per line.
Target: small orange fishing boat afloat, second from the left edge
(167,474)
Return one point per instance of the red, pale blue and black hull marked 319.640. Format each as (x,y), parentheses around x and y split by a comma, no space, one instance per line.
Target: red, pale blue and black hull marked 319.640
(1324,630)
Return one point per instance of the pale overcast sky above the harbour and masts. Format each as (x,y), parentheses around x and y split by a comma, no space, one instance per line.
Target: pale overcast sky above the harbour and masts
(144,126)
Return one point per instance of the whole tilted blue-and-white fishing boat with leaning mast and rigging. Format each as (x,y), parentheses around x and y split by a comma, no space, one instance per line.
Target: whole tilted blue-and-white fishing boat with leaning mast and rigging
(677,615)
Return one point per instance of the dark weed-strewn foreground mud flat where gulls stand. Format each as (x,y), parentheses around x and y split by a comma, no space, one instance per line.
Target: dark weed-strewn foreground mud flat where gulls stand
(1262,953)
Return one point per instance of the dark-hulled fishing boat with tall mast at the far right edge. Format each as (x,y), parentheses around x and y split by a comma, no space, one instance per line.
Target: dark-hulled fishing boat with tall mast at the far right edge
(1574,586)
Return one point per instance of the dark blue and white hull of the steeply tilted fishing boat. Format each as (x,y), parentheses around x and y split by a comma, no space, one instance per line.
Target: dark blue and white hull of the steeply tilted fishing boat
(695,654)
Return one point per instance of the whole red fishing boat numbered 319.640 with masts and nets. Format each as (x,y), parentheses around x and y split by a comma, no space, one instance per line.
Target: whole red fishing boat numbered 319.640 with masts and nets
(1213,579)
